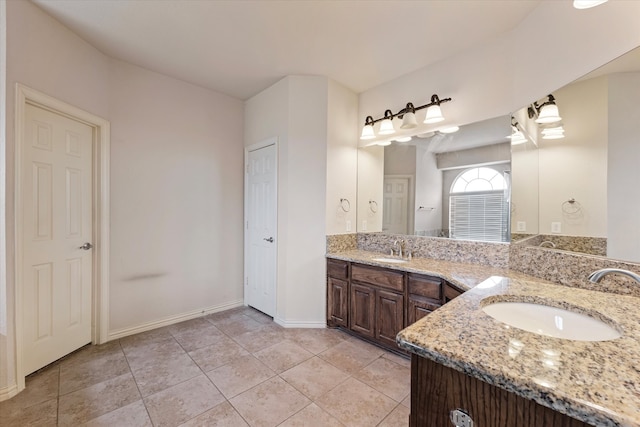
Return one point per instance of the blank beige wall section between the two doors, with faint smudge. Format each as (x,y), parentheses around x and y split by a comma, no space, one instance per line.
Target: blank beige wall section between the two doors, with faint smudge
(176,198)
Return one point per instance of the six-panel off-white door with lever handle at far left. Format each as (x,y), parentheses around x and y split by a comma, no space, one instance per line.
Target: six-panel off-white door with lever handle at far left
(56,184)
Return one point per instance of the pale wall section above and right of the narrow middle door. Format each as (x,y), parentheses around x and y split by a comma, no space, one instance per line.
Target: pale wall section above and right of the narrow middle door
(295,110)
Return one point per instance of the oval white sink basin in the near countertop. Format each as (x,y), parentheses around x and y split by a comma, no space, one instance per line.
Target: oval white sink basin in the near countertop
(551,321)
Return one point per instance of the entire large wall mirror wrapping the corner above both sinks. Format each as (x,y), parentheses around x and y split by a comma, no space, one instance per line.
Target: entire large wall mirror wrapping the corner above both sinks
(579,193)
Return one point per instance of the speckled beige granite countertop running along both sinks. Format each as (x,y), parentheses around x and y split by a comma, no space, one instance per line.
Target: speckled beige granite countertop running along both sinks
(596,382)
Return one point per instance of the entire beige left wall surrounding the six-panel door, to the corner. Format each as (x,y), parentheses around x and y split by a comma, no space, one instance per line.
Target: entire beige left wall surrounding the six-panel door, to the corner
(176,176)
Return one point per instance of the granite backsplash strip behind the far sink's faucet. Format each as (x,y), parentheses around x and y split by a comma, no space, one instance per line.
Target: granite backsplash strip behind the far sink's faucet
(483,253)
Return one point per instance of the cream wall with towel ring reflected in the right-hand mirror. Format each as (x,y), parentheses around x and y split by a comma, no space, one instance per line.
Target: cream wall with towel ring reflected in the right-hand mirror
(576,166)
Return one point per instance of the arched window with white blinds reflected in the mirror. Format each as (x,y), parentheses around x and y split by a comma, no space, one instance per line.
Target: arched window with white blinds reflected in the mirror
(478,206)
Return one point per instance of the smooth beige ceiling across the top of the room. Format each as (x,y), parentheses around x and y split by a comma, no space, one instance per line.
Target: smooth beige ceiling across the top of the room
(241,47)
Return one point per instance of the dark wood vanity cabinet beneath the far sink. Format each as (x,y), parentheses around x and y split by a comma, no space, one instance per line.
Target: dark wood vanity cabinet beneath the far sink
(376,303)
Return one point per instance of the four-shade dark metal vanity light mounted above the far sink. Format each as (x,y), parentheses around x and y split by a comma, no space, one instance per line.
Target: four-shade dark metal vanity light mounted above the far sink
(407,114)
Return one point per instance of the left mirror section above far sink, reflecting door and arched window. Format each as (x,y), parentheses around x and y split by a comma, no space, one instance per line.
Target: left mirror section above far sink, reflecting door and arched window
(439,184)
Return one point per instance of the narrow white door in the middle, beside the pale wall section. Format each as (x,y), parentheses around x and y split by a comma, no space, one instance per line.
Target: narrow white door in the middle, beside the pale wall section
(260,280)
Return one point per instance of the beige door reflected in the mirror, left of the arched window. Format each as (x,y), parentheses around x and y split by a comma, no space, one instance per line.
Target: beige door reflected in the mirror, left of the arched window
(396,205)
